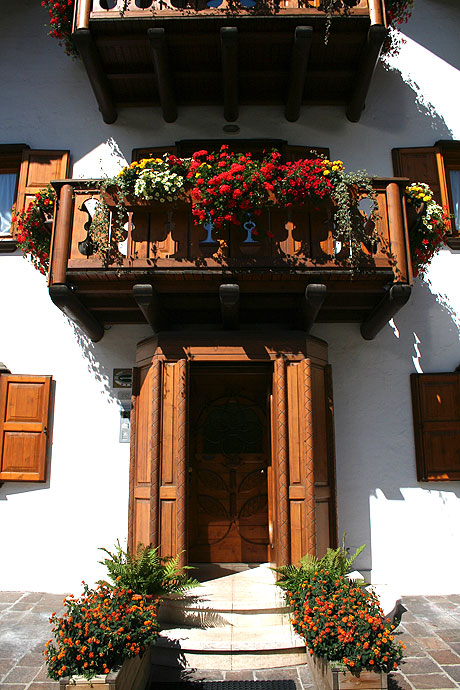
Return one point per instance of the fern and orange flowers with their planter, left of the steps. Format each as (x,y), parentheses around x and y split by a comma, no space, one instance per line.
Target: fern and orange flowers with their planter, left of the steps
(104,636)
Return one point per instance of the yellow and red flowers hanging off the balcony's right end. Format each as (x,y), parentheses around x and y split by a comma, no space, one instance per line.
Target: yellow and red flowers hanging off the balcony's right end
(429,226)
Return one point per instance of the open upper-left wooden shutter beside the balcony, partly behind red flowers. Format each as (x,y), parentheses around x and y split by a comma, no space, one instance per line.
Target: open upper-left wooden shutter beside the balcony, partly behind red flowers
(38,168)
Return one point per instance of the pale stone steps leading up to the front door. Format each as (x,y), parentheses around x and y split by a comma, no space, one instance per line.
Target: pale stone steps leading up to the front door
(236,622)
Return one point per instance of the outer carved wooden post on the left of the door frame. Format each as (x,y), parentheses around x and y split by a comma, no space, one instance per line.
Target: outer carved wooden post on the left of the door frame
(155,450)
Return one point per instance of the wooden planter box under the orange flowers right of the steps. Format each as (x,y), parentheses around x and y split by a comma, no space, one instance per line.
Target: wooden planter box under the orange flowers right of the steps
(327,676)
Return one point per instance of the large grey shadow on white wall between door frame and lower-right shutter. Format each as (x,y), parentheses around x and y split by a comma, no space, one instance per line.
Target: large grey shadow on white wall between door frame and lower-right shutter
(375,454)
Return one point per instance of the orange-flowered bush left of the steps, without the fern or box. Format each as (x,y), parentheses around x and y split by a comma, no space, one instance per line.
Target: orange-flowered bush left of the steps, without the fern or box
(99,630)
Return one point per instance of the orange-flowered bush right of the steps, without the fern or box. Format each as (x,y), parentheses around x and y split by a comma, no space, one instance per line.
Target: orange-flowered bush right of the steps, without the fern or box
(342,622)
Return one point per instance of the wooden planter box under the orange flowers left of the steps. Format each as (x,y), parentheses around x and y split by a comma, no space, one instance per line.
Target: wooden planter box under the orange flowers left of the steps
(133,675)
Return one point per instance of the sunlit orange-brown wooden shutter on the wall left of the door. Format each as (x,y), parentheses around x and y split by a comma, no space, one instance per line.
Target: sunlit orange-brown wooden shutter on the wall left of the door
(24,424)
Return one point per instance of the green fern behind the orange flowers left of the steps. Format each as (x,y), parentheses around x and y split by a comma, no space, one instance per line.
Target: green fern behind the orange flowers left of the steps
(145,572)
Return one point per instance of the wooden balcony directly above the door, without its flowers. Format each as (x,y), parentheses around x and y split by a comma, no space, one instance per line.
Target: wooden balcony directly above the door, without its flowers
(171,277)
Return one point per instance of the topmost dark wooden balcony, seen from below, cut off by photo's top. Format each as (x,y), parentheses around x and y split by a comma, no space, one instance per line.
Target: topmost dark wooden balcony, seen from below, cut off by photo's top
(173,53)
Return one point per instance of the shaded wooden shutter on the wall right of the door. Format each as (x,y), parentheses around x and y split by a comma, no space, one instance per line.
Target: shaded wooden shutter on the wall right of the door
(436,409)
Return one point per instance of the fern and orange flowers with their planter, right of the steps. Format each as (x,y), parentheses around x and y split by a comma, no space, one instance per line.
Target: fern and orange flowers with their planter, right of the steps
(345,632)
